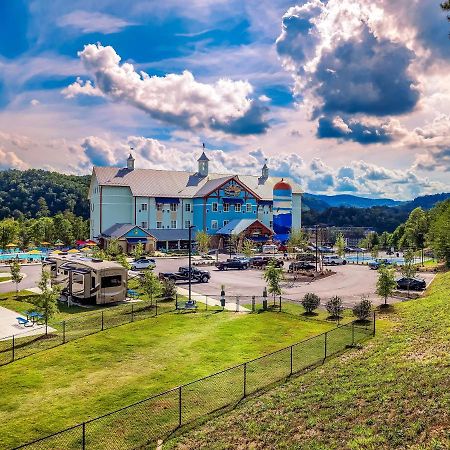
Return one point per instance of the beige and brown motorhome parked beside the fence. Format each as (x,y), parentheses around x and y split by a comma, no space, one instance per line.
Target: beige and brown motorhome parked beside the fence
(88,280)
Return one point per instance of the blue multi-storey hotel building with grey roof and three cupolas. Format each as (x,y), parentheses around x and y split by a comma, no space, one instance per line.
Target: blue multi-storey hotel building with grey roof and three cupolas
(166,203)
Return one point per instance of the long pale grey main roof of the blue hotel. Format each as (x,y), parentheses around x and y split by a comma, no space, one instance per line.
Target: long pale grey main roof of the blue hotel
(170,183)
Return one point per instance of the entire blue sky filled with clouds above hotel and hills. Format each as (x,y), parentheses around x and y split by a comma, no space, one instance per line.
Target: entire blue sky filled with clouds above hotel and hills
(343,96)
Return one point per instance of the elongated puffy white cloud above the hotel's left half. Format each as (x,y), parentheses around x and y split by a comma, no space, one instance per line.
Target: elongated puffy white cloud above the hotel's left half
(177,99)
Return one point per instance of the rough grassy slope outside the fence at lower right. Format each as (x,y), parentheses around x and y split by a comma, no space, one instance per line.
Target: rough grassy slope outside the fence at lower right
(392,394)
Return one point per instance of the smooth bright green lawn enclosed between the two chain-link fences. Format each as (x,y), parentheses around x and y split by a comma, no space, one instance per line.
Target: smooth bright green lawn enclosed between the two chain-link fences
(88,377)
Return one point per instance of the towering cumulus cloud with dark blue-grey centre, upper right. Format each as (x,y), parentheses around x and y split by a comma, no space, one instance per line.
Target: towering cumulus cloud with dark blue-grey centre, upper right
(346,70)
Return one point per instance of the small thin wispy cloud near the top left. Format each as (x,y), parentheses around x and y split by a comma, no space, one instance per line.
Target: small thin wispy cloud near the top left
(93,22)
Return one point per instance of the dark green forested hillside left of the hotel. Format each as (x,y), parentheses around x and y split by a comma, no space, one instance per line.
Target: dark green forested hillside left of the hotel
(34,193)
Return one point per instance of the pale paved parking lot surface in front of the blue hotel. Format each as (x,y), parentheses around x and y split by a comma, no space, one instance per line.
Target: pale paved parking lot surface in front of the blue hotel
(350,282)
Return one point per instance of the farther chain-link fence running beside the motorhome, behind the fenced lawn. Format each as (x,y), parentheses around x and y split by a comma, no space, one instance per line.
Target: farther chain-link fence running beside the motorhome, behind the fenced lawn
(57,333)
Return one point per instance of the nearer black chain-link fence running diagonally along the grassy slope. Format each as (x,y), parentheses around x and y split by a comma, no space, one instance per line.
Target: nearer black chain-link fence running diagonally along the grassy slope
(146,422)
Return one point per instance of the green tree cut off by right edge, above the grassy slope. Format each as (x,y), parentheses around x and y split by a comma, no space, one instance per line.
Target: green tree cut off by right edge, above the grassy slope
(439,231)
